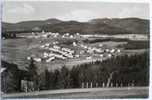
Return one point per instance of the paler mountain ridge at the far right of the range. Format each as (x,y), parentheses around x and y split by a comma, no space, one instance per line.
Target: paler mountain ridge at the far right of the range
(133,25)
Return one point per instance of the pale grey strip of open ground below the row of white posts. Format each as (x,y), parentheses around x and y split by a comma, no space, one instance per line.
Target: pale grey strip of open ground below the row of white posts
(90,93)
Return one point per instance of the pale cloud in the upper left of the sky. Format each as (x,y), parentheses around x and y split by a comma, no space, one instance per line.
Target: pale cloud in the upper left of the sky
(24,9)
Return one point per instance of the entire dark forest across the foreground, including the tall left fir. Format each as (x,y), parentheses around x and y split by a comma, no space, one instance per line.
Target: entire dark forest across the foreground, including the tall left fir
(120,71)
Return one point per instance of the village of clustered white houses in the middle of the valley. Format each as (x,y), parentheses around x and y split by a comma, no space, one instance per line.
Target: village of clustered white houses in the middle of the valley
(77,50)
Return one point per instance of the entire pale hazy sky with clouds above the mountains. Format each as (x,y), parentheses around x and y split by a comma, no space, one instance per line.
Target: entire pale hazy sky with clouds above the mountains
(80,11)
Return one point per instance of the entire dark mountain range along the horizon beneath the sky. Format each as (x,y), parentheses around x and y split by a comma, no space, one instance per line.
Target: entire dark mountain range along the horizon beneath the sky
(98,26)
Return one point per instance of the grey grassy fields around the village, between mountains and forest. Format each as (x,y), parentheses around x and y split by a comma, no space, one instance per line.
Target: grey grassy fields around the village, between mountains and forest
(17,50)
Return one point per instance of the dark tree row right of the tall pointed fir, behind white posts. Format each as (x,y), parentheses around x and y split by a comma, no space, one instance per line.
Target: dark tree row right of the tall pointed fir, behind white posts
(122,70)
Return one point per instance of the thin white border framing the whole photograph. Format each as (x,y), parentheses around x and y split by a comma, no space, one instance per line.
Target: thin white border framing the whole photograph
(110,1)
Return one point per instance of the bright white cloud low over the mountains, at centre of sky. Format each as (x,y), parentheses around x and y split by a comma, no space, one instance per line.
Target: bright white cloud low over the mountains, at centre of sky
(79,15)
